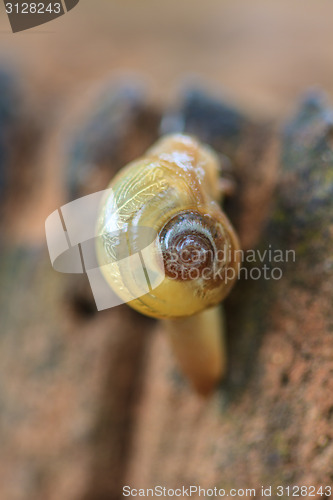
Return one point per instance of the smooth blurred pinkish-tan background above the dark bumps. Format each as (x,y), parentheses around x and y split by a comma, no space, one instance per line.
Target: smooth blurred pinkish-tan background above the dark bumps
(261,56)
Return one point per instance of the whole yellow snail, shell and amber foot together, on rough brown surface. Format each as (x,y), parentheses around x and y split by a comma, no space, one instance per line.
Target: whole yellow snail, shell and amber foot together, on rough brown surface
(176,190)
